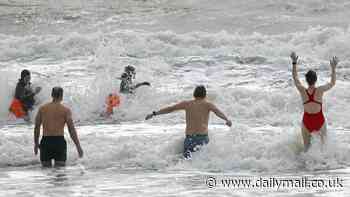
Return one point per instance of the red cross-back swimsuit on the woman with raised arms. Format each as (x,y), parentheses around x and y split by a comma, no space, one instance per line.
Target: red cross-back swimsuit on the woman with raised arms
(313,122)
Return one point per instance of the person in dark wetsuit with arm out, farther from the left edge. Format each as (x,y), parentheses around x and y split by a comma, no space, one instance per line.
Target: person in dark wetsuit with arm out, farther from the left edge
(126,86)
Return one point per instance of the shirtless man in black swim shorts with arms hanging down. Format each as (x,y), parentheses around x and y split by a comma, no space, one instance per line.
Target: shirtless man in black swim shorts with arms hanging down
(53,116)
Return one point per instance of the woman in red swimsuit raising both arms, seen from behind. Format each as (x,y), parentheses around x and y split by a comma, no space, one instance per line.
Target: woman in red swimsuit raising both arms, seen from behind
(313,119)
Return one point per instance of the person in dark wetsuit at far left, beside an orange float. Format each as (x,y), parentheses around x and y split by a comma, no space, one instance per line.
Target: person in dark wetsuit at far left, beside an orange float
(24,91)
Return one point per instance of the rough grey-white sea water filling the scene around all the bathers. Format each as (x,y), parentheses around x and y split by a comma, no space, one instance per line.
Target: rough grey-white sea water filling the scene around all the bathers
(238,49)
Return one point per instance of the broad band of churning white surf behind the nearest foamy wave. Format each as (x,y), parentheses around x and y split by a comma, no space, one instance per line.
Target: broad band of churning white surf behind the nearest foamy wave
(248,75)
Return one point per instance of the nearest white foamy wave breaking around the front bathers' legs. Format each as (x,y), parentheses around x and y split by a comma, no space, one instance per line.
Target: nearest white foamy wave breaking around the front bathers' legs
(147,147)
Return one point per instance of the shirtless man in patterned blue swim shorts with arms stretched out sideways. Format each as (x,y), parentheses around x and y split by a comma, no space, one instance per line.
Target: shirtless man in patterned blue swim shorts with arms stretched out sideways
(197,117)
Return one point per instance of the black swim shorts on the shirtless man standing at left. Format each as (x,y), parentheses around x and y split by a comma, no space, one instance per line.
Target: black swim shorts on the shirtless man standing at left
(53,147)
